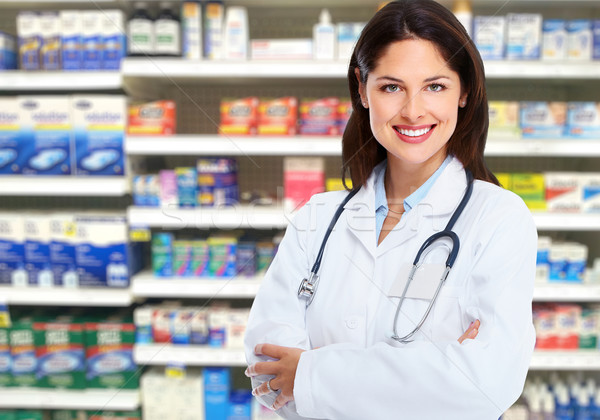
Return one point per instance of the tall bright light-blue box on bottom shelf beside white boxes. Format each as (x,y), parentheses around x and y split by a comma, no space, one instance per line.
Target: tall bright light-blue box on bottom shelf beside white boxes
(217,386)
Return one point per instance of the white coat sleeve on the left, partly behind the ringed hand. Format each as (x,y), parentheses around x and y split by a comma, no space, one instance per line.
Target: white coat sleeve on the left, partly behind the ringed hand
(277,315)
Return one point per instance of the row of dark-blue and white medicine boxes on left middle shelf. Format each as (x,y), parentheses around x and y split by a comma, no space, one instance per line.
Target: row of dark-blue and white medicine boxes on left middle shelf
(66,250)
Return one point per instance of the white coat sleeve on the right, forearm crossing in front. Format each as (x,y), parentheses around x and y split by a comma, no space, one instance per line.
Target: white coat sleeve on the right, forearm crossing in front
(423,380)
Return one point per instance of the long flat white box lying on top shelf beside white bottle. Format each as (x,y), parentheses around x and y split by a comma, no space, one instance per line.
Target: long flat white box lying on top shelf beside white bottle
(281,49)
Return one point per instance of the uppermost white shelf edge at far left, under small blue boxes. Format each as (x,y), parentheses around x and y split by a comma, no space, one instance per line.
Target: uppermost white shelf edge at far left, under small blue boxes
(37,81)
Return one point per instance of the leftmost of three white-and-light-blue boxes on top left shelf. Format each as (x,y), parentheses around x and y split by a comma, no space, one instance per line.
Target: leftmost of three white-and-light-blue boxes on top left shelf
(71,31)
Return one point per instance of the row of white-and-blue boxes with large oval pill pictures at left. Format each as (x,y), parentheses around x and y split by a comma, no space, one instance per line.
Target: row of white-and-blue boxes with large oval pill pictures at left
(62,135)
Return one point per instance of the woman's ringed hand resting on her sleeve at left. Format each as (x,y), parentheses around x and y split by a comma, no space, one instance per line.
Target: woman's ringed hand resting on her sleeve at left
(284,370)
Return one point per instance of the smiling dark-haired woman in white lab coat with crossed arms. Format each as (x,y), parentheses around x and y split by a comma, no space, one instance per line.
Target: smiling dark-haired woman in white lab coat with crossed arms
(419,125)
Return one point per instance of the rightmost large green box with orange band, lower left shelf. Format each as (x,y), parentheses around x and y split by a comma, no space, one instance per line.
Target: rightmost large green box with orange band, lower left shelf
(109,351)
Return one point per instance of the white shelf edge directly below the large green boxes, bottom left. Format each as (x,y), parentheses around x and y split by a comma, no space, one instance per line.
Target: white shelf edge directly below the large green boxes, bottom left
(88,399)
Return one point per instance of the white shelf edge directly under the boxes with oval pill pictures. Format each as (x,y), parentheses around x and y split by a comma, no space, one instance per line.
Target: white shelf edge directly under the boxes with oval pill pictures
(64,186)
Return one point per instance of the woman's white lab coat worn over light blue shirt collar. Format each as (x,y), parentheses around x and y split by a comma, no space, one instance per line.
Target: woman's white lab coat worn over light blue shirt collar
(356,371)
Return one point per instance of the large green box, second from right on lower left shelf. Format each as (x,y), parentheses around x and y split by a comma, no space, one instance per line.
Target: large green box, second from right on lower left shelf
(60,353)
